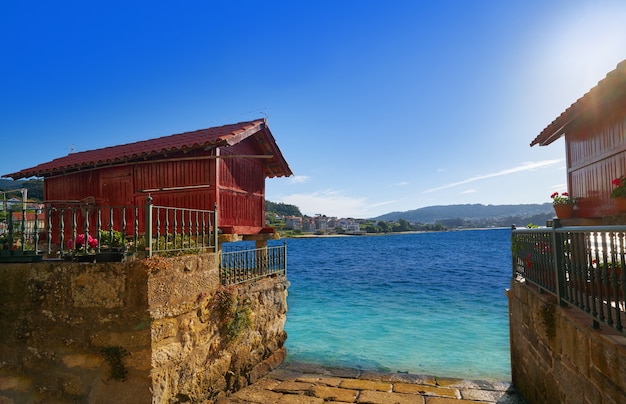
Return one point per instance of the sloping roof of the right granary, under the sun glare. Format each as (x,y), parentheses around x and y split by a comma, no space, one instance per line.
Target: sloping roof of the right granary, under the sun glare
(609,90)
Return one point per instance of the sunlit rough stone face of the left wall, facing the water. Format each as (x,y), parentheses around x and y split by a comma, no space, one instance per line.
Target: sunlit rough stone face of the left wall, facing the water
(208,340)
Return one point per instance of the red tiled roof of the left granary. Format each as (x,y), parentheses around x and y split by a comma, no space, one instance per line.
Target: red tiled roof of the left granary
(218,136)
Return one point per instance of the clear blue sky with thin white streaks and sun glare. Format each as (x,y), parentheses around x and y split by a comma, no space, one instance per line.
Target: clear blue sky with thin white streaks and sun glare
(378,106)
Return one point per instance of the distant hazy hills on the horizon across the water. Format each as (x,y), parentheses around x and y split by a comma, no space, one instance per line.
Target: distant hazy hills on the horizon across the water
(476,215)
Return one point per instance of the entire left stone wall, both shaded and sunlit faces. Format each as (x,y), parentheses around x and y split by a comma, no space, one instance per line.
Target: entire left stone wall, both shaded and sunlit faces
(142,331)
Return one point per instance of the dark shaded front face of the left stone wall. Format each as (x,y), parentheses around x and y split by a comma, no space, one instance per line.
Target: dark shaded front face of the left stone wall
(57,322)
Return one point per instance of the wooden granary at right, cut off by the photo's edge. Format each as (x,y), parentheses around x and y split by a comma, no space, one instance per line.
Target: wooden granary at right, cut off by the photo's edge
(594,129)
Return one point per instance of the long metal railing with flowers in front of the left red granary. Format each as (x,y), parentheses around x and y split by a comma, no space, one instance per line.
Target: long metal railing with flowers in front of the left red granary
(59,229)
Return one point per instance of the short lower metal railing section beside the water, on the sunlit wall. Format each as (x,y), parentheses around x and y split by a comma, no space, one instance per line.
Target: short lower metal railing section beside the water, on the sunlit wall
(238,266)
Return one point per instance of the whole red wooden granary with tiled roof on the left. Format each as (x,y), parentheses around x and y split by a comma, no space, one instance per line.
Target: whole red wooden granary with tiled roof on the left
(221,167)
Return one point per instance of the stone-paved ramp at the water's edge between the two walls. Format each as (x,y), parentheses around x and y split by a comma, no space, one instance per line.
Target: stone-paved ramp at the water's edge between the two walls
(304,383)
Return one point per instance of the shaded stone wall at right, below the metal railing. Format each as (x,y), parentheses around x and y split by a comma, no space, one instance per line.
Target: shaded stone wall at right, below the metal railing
(557,357)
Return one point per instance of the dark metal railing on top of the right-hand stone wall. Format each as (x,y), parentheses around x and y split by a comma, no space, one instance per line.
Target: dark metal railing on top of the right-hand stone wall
(580,265)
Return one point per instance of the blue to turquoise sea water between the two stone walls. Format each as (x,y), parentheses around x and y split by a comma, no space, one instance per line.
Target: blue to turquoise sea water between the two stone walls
(426,303)
